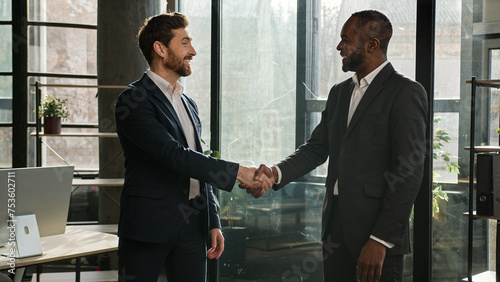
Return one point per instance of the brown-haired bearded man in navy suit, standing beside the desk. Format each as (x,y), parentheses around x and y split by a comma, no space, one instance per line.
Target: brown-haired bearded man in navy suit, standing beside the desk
(167,208)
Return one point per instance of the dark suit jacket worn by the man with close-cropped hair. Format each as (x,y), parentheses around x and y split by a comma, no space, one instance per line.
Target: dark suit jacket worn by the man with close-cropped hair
(378,159)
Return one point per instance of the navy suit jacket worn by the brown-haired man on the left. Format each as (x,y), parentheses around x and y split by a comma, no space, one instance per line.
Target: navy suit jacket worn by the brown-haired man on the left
(158,166)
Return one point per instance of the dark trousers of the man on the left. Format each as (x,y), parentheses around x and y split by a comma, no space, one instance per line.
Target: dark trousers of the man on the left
(184,258)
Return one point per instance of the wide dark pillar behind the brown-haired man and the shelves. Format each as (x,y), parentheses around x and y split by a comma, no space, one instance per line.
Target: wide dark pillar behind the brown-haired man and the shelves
(119,62)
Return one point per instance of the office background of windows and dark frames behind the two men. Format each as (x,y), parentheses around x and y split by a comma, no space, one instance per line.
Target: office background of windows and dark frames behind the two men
(261,78)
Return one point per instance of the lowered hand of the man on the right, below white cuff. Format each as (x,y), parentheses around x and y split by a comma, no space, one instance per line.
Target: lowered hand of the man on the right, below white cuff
(370,262)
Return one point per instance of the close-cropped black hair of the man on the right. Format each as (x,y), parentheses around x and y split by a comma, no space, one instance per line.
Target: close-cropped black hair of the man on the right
(375,25)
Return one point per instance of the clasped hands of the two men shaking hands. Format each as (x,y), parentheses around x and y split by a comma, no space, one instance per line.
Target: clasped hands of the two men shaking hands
(257,181)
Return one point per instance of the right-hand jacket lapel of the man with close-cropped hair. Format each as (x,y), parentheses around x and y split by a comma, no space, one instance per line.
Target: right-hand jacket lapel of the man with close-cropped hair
(373,90)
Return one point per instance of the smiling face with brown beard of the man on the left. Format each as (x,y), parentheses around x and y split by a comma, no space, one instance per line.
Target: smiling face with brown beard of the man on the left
(180,52)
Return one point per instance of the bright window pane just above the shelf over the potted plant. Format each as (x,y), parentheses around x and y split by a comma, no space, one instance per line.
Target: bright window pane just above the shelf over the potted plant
(62,50)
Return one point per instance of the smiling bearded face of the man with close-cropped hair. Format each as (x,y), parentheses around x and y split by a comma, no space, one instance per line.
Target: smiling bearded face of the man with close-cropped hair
(352,47)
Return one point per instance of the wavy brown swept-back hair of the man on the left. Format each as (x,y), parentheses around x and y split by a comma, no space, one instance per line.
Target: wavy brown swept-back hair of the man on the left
(159,28)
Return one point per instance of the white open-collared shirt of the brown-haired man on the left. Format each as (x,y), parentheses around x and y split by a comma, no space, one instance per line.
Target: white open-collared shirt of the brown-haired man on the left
(174,94)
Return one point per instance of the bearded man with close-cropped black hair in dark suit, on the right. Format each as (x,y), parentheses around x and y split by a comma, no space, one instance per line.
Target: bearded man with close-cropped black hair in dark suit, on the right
(373,132)
